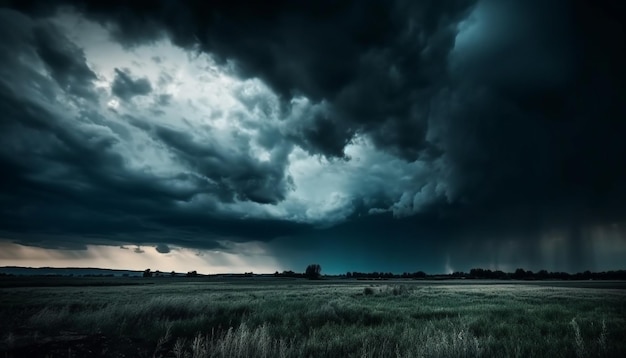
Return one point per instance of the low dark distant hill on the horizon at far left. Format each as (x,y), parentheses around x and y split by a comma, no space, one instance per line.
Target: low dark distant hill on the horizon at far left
(65,271)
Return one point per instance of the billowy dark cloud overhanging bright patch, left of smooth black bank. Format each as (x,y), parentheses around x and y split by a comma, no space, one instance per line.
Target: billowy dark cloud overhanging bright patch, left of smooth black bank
(377,63)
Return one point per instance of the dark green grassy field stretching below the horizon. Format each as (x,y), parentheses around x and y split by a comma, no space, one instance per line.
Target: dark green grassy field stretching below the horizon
(264,317)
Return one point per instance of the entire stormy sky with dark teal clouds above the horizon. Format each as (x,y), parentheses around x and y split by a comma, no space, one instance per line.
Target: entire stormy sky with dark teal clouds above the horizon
(229,136)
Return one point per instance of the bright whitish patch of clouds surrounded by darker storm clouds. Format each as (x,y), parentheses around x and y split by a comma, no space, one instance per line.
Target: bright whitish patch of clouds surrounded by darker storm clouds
(223,118)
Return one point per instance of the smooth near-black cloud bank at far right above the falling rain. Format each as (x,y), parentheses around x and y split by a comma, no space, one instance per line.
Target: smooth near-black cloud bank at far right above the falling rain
(540,123)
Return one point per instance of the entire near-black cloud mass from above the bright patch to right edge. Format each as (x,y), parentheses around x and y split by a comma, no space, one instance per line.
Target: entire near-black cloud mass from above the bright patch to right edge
(528,117)
